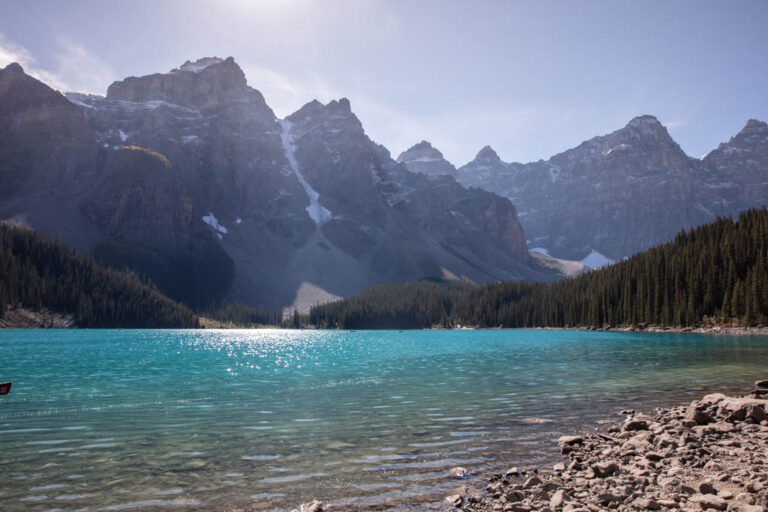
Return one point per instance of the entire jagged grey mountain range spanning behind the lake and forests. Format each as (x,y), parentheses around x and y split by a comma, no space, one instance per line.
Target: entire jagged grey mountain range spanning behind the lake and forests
(190,179)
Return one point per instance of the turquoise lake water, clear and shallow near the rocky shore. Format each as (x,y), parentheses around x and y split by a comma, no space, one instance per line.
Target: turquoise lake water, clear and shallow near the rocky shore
(122,420)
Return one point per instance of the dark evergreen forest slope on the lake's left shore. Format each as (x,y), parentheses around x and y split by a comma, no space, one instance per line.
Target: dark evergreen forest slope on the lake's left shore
(36,272)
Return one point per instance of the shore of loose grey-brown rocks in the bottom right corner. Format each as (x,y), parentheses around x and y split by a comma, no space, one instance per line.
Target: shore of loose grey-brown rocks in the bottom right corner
(710,455)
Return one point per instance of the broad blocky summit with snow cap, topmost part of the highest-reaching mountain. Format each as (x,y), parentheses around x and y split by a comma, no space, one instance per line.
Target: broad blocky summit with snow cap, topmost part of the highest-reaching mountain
(207,82)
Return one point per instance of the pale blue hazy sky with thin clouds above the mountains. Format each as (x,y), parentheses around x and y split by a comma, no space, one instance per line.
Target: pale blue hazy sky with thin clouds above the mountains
(529,78)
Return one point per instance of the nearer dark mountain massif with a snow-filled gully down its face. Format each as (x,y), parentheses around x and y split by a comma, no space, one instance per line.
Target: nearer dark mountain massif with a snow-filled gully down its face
(189,178)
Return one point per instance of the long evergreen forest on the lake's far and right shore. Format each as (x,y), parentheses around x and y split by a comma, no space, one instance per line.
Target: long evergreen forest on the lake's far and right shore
(716,273)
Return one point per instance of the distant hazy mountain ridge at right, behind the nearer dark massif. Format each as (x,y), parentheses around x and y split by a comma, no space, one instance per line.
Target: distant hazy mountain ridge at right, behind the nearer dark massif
(618,194)
